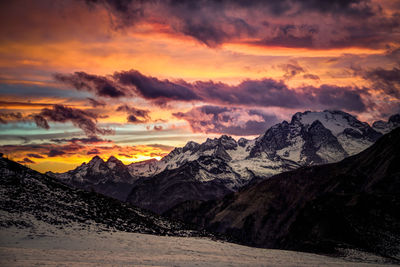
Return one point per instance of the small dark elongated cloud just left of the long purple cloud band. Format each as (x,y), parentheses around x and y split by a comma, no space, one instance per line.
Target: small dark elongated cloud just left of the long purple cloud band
(101,86)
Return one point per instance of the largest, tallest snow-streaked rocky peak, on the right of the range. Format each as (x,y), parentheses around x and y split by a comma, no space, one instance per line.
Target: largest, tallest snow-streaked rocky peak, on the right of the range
(314,137)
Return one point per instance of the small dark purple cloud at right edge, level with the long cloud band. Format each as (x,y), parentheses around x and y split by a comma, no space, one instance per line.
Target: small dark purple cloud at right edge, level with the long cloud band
(386,80)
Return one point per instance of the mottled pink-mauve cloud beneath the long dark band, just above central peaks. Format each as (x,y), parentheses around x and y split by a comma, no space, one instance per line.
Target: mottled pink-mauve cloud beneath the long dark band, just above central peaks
(227,120)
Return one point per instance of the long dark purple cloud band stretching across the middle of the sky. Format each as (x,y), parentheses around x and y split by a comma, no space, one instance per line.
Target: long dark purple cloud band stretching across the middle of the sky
(263,93)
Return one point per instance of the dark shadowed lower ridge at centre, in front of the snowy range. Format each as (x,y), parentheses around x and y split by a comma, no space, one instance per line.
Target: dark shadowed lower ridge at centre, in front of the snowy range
(167,189)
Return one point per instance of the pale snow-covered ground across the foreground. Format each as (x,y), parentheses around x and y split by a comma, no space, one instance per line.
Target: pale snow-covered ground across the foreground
(47,245)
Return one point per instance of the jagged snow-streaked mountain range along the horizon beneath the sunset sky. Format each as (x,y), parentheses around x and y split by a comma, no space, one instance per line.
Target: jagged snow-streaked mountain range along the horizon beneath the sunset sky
(223,165)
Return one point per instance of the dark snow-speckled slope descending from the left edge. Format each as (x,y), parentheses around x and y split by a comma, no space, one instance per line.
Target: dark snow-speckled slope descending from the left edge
(27,196)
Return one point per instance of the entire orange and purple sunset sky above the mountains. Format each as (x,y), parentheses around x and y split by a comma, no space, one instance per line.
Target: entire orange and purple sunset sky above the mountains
(136,78)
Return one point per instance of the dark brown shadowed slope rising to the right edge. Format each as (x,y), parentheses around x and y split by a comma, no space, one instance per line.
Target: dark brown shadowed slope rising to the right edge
(353,203)
